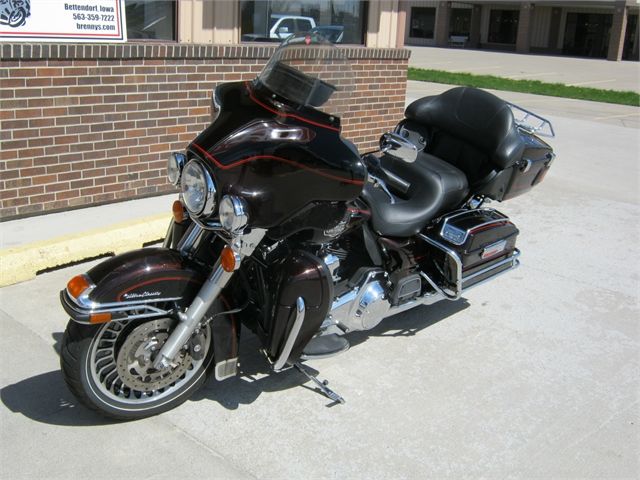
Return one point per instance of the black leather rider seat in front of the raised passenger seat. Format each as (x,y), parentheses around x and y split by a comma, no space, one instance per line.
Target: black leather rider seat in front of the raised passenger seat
(435,187)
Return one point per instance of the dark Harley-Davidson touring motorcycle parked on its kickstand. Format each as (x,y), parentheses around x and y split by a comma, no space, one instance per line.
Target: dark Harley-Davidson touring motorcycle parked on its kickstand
(282,226)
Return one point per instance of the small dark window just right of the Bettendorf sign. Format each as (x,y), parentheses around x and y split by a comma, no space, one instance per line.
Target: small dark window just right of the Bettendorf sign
(154,20)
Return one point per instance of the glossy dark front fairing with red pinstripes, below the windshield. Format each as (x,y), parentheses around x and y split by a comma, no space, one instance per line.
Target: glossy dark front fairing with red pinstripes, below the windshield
(280,159)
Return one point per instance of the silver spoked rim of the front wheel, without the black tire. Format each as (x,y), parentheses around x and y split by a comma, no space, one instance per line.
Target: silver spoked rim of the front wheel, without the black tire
(121,358)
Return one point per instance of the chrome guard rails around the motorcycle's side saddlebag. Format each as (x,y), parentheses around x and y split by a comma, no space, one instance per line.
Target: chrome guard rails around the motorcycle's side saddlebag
(481,276)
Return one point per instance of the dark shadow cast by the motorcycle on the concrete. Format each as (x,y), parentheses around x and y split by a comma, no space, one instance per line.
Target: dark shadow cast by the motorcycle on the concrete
(45,398)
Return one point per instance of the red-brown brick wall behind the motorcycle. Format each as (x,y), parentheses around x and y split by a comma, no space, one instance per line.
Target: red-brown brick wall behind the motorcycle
(89,124)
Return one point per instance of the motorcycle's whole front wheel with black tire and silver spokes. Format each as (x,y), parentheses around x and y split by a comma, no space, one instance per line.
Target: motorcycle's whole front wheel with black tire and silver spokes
(109,367)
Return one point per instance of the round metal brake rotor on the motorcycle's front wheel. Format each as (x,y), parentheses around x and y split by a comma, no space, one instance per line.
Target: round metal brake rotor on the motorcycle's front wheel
(138,352)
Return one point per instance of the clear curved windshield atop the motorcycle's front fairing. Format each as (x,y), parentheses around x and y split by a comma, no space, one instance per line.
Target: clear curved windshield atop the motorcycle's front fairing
(309,71)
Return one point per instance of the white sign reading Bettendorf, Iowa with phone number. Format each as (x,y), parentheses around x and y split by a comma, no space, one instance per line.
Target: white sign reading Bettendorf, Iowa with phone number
(63,21)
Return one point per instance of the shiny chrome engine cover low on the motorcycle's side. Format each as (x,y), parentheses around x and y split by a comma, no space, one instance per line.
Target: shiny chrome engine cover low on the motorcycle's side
(363,307)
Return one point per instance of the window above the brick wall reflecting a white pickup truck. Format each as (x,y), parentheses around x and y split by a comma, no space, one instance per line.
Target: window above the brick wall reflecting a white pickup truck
(340,21)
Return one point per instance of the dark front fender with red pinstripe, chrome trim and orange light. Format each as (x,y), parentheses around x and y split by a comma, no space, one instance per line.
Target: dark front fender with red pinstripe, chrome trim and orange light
(150,283)
